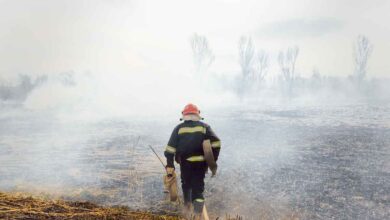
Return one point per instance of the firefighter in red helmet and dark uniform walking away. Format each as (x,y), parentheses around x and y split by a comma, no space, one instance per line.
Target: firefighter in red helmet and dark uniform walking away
(185,146)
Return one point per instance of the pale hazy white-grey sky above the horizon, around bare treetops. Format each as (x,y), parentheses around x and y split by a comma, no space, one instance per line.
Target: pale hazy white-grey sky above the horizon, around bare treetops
(152,37)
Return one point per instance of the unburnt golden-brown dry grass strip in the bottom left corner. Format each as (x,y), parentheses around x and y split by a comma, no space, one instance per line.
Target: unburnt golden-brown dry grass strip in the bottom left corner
(18,206)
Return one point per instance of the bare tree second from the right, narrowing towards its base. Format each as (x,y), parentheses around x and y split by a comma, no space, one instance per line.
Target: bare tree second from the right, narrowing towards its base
(287,62)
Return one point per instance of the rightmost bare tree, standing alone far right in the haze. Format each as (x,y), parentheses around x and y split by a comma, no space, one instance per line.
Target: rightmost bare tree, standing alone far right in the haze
(362,52)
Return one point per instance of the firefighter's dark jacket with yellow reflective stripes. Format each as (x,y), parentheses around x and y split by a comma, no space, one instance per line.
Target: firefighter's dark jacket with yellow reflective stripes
(186,142)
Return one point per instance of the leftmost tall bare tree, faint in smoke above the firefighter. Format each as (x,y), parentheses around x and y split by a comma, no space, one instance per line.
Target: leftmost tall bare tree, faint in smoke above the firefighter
(202,54)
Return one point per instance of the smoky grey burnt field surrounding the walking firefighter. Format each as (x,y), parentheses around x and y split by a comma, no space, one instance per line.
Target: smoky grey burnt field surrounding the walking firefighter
(276,162)
